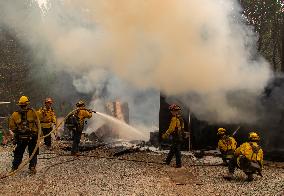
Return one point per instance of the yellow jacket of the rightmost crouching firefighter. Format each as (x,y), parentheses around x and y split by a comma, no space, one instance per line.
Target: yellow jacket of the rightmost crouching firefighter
(251,150)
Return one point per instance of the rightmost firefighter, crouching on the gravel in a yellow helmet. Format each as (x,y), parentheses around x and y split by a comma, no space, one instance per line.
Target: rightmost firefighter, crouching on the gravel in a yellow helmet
(248,157)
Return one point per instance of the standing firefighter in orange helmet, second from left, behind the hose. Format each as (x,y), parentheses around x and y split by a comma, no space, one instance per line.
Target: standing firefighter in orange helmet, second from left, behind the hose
(47,119)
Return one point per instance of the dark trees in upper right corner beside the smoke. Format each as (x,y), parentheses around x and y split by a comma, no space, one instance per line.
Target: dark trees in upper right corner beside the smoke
(267,16)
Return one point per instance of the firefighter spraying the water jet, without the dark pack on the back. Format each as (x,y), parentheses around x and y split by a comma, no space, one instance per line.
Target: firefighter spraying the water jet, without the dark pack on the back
(81,114)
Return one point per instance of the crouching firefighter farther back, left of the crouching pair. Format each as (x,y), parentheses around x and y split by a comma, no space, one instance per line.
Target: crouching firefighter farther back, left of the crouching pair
(227,145)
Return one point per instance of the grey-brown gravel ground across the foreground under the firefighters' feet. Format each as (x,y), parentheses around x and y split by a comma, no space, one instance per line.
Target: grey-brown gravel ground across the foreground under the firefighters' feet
(83,175)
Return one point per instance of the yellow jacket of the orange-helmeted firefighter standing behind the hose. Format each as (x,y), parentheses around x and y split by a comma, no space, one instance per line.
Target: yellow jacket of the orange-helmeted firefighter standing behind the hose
(47,117)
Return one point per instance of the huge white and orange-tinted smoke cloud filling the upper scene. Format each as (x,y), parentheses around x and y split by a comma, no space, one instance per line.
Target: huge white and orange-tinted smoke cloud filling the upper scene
(200,50)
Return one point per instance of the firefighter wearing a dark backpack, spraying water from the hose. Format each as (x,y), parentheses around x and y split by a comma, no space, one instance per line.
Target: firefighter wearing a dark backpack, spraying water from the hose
(75,123)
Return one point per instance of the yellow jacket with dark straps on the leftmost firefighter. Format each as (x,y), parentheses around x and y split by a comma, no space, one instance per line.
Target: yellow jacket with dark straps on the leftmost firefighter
(21,121)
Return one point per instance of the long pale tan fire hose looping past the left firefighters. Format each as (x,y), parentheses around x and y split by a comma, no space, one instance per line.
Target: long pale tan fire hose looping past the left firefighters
(39,137)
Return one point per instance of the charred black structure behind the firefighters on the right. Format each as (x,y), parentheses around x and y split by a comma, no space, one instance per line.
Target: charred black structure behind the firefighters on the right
(269,125)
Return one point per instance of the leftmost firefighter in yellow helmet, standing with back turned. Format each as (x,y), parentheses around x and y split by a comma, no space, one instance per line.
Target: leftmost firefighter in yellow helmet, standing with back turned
(23,124)
